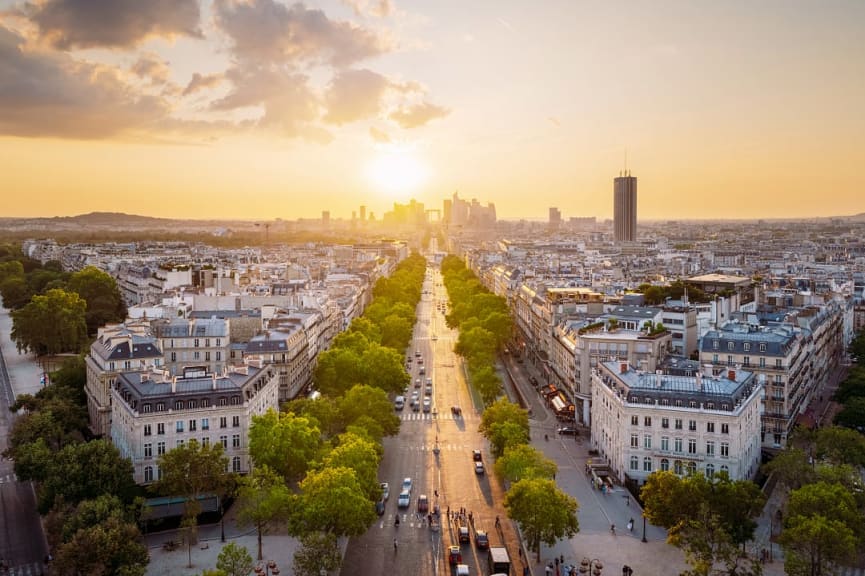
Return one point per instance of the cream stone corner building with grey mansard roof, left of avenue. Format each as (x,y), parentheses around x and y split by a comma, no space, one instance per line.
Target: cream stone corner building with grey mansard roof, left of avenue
(153,413)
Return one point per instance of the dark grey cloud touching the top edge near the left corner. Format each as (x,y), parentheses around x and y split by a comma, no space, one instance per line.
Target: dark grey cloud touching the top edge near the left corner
(70,24)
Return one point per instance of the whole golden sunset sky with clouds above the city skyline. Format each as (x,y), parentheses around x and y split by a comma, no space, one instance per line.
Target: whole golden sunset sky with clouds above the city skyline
(263,109)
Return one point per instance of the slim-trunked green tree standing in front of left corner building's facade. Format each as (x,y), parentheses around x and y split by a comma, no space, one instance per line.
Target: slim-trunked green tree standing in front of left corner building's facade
(193,470)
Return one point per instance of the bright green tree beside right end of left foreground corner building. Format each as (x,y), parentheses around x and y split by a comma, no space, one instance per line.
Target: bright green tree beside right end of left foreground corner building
(285,443)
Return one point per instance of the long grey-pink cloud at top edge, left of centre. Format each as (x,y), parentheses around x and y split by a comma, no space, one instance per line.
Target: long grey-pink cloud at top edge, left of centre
(267,31)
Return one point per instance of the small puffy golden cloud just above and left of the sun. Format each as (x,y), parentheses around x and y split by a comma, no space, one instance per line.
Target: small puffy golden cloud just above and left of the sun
(353,95)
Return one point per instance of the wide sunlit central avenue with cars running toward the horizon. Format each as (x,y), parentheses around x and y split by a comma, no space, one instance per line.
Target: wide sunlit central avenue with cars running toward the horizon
(450,473)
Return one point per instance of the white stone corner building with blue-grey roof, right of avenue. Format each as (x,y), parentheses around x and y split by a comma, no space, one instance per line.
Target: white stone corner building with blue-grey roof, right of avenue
(647,421)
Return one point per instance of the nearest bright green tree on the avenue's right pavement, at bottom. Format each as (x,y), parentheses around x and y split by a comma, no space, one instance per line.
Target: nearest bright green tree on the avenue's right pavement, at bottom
(545,513)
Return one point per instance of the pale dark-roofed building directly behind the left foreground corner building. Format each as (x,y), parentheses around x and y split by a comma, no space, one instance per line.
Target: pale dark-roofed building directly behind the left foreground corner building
(118,348)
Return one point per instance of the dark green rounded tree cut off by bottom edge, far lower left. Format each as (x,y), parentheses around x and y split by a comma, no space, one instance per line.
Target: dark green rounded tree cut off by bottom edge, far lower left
(112,547)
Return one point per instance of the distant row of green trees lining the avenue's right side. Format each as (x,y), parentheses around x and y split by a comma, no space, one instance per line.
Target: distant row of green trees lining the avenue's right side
(484,324)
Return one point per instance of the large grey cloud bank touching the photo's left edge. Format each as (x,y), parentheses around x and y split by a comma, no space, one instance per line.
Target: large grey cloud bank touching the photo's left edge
(53,95)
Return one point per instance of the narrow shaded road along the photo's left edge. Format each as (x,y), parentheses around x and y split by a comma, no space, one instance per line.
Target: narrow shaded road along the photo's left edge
(22,544)
